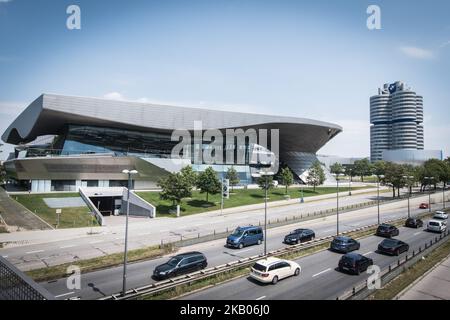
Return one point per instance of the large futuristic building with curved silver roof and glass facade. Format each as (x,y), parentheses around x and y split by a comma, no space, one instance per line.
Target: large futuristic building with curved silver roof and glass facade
(63,143)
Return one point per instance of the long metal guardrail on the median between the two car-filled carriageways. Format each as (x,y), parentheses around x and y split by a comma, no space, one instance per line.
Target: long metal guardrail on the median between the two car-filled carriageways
(164,285)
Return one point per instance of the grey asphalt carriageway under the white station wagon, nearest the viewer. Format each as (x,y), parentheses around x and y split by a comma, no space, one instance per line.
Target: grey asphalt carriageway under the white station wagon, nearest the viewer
(319,279)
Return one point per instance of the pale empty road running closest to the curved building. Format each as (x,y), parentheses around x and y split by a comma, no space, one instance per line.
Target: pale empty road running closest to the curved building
(62,246)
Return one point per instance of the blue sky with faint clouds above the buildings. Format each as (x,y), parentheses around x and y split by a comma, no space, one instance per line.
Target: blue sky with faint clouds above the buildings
(313,59)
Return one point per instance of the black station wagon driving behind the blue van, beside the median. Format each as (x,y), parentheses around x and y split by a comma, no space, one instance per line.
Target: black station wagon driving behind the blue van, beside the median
(181,264)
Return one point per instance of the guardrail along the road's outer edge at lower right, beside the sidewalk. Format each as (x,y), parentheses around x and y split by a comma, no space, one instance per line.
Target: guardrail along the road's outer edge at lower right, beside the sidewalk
(361,290)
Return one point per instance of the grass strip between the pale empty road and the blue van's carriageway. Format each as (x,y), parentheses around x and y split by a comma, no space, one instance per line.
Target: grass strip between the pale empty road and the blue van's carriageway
(108,261)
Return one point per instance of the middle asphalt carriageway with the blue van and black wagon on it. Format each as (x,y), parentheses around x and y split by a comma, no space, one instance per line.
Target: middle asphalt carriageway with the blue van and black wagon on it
(105,282)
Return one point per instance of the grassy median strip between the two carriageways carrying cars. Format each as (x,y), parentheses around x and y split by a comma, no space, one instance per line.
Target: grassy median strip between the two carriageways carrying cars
(241,272)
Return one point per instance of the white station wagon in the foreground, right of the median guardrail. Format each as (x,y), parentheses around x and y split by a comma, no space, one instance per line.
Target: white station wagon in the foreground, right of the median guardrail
(270,270)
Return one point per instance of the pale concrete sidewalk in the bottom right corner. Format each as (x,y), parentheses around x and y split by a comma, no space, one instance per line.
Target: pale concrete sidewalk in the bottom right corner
(434,285)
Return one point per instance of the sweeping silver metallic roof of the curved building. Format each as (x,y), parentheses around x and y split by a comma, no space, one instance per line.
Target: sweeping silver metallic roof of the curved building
(49,113)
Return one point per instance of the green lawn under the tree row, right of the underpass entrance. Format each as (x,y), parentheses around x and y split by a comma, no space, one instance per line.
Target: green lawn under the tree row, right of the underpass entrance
(239,197)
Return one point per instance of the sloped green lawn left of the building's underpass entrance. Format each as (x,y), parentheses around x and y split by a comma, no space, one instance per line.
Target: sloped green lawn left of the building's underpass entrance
(70,217)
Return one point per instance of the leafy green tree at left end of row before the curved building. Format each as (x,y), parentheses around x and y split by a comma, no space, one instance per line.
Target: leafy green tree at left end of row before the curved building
(174,188)
